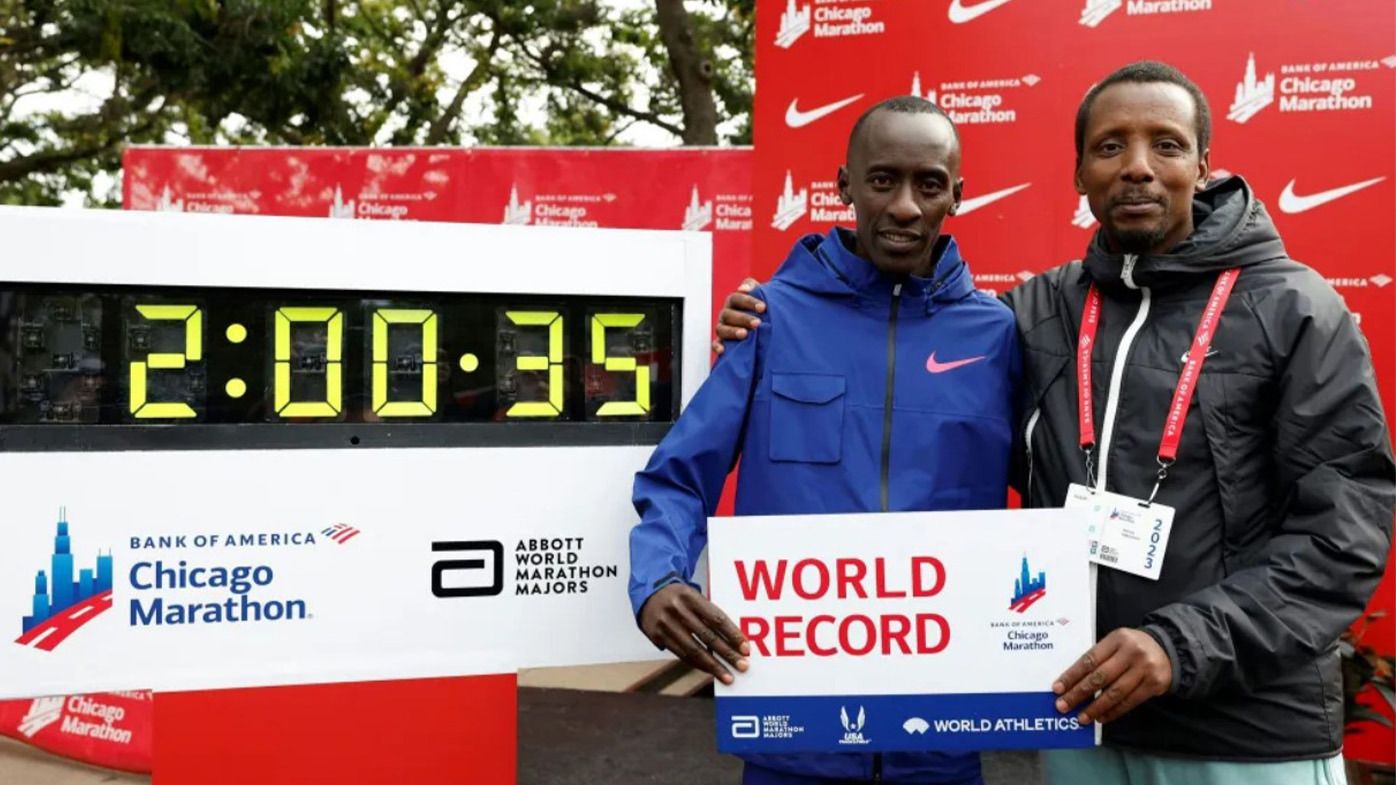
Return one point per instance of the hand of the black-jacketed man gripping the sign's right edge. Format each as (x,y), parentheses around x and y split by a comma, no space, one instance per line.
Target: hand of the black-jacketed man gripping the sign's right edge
(1127,668)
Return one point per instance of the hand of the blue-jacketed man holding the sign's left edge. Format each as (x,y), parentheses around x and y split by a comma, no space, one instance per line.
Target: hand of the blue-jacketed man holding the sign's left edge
(682,621)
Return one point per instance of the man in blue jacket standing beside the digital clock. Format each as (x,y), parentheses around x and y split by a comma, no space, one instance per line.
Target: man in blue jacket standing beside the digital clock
(879,381)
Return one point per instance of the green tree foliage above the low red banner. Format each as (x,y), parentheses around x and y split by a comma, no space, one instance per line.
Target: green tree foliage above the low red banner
(80,79)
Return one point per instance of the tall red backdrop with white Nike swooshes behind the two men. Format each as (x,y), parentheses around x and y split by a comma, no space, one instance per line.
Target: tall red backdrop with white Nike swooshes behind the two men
(1302,97)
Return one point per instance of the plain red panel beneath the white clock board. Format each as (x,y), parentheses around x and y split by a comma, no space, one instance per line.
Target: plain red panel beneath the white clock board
(426,733)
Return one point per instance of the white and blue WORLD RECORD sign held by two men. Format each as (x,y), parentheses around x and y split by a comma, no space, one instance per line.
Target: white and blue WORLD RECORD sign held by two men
(903,632)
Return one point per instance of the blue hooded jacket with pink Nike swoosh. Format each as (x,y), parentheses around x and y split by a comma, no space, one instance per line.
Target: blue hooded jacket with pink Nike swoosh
(858,395)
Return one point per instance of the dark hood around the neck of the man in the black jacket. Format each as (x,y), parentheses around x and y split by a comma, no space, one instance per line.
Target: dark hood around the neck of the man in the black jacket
(1231,230)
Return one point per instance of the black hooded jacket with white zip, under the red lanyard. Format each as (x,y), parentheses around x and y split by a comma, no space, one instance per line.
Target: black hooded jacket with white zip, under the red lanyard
(1284,487)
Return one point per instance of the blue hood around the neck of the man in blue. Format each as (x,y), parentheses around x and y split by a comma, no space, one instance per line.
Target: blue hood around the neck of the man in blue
(827,265)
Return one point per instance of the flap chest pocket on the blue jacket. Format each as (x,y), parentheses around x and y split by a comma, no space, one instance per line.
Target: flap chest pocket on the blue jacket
(808,418)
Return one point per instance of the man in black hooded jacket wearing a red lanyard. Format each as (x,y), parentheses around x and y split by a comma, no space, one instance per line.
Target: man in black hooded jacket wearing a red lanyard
(1274,455)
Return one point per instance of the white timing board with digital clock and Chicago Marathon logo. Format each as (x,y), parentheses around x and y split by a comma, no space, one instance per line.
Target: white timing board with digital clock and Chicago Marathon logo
(228,470)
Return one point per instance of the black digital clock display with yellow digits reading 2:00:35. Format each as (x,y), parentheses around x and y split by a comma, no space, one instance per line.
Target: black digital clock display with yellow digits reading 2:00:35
(182,357)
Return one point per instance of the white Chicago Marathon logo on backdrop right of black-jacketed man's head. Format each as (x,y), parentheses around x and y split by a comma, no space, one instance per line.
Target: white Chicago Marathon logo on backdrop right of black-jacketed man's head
(1334,86)
